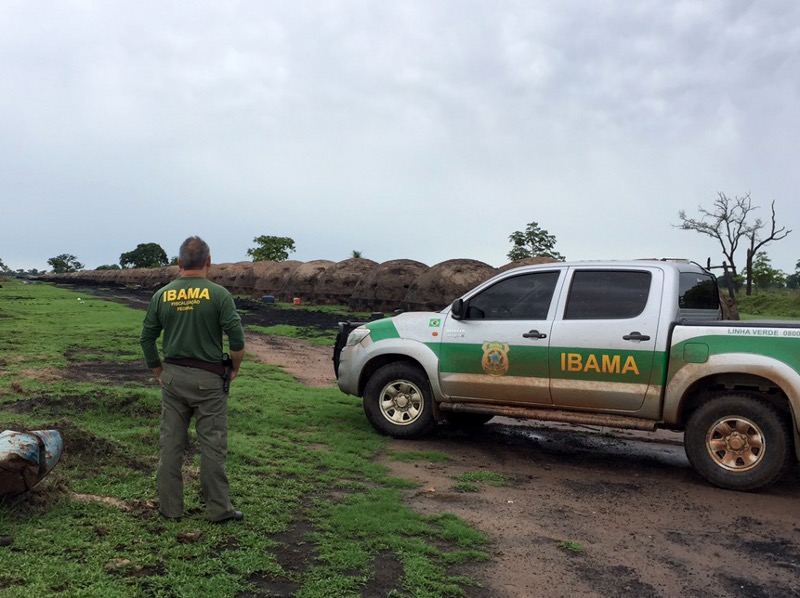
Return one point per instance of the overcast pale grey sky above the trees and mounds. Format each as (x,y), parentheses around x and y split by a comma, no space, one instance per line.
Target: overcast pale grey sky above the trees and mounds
(422,129)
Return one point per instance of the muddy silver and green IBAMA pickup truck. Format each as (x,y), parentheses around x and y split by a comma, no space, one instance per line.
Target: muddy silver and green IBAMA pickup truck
(637,344)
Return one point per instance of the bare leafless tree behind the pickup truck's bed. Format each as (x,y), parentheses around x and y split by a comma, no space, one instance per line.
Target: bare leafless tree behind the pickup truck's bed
(728,223)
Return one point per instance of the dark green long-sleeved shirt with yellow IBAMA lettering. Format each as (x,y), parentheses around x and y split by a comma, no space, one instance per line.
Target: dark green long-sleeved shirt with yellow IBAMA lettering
(193,312)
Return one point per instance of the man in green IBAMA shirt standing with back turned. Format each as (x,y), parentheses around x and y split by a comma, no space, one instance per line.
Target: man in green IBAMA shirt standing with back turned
(193,313)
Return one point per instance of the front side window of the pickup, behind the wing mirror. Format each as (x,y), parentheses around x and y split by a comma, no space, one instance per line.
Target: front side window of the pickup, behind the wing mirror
(523,297)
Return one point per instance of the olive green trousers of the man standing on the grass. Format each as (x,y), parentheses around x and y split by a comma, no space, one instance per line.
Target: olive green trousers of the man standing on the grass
(186,393)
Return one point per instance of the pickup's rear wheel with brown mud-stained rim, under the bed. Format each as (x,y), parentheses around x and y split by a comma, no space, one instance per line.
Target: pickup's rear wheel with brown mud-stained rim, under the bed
(738,442)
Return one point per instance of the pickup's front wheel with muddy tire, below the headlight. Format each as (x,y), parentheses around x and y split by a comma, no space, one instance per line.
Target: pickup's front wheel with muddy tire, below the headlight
(398,401)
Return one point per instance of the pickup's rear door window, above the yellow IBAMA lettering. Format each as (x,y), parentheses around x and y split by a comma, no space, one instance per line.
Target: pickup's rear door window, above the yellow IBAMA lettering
(607,294)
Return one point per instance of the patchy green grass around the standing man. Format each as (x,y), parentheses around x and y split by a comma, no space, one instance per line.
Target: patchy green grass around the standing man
(322,517)
